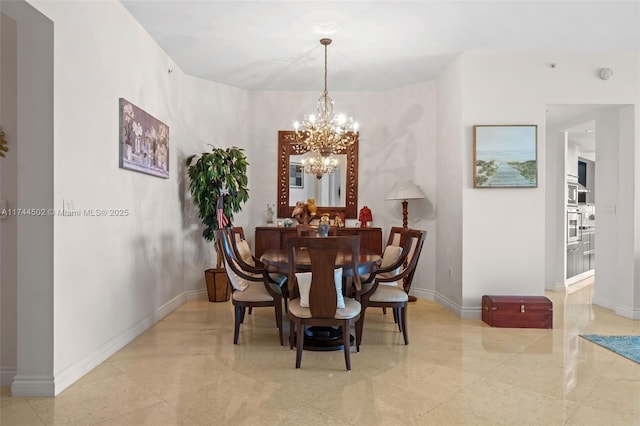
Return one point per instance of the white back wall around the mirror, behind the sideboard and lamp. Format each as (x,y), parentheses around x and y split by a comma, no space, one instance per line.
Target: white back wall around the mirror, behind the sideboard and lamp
(400,146)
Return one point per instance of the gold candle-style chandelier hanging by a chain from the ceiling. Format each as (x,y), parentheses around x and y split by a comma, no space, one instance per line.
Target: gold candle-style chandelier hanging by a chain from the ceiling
(326,133)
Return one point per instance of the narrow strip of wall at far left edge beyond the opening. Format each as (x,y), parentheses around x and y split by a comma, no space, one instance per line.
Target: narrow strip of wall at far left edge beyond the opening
(8,192)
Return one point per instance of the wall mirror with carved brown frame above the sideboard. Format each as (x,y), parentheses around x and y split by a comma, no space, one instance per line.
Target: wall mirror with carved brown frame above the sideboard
(334,193)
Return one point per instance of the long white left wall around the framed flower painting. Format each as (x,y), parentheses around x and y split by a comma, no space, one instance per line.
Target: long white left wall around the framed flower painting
(111,277)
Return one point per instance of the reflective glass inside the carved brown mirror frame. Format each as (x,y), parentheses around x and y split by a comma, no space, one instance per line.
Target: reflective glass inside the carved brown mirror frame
(327,191)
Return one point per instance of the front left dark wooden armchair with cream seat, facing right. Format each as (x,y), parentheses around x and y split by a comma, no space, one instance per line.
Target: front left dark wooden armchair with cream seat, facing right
(251,286)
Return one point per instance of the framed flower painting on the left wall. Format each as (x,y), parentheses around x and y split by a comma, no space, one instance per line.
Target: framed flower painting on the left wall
(144,141)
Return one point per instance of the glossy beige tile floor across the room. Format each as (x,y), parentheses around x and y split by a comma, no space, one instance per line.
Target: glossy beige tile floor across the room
(186,371)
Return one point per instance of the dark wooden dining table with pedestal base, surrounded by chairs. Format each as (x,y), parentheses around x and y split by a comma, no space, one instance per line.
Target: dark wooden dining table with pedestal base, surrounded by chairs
(321,338)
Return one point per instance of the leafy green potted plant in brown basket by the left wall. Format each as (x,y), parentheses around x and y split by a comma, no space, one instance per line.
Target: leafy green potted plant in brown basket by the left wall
(218,184)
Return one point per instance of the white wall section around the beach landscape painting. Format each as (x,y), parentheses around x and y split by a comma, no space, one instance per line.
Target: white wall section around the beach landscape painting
(504,229)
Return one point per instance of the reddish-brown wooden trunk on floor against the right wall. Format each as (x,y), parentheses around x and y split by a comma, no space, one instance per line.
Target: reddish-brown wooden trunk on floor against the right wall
(517,311)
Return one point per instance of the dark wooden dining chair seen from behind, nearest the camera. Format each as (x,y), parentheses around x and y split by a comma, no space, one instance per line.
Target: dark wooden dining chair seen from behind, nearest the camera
(319,300)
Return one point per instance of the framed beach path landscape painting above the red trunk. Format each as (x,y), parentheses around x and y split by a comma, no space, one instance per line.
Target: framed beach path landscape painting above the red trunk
(505,156)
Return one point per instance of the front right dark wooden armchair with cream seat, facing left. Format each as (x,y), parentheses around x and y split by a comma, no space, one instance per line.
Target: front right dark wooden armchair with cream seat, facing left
(394,296)
